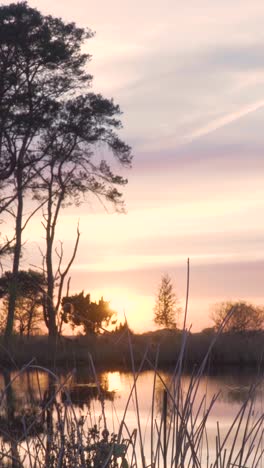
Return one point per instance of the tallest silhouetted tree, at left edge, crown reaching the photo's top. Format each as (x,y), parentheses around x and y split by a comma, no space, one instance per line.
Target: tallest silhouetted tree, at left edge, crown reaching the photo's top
(40,62)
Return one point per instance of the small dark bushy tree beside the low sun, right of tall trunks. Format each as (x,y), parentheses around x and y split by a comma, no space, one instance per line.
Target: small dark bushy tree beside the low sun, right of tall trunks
(79,310)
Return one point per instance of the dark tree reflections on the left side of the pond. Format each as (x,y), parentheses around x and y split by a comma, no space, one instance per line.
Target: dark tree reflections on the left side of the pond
(31,403)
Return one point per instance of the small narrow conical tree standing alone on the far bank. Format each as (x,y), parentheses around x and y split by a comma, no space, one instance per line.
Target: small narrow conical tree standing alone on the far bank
(165,309)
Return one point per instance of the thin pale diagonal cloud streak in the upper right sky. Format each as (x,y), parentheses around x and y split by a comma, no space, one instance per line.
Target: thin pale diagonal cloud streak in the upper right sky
(223,121)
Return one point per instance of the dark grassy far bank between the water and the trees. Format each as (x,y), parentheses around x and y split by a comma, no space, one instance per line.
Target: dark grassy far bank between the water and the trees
(112,351)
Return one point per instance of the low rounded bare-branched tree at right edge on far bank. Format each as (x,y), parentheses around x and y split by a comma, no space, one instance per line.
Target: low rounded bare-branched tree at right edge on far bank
(243,316)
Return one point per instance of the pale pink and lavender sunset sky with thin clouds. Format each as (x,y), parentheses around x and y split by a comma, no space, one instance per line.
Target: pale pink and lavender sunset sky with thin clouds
(189,78)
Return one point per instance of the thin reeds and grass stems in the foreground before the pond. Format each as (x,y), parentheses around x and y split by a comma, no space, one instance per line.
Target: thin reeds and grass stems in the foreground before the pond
(58,436)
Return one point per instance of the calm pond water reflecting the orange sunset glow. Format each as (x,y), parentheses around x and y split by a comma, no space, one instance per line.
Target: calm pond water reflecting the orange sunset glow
(108,398)
